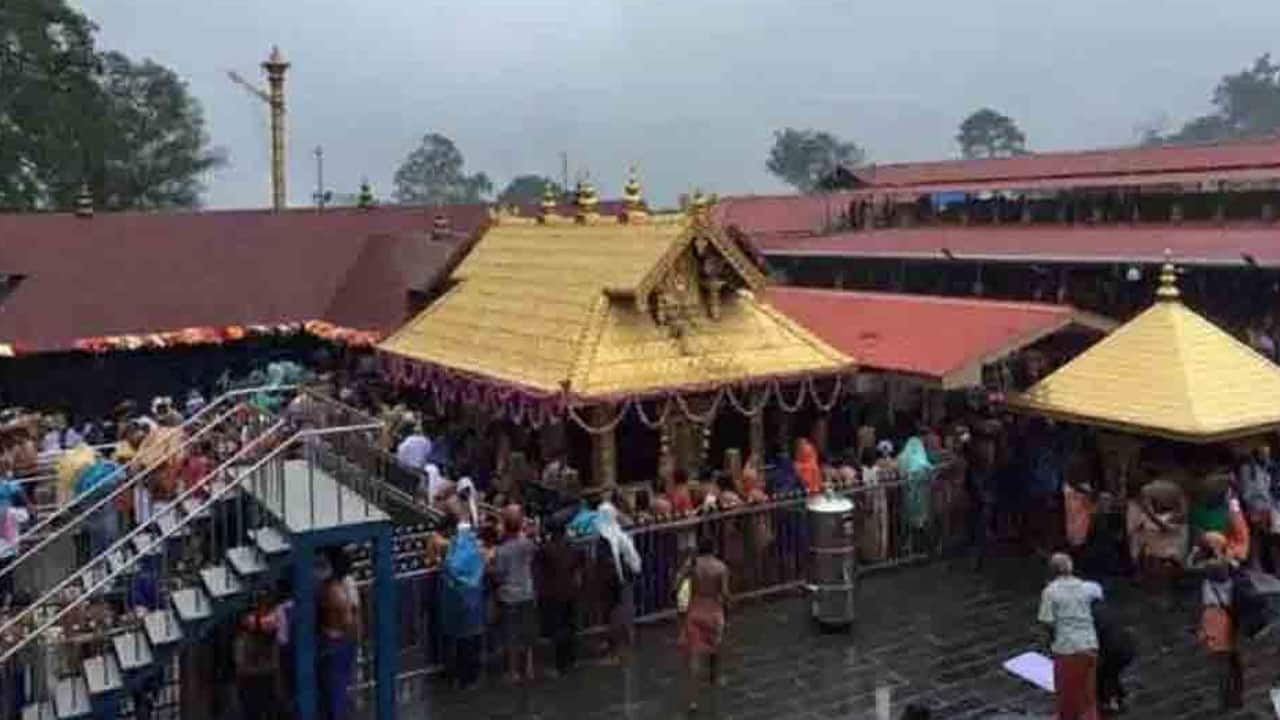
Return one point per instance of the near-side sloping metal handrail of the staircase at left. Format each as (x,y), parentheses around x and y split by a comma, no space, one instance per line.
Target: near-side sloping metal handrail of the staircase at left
(127,539)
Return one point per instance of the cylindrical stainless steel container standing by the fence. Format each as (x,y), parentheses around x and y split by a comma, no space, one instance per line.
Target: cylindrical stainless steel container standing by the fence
(833,555)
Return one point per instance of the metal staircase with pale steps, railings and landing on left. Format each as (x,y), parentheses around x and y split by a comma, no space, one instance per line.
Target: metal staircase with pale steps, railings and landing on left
(199,560)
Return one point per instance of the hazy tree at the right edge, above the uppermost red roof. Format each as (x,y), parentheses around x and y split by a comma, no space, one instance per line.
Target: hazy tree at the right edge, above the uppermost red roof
(1246,104)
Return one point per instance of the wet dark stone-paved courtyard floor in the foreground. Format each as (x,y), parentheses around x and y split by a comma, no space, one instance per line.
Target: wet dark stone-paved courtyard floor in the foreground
(934,635)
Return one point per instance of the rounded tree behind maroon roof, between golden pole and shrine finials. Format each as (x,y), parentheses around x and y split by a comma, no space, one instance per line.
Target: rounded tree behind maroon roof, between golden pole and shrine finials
(433,175)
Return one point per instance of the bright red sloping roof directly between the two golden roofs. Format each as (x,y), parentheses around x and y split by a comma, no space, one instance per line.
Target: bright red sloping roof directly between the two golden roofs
(945,340)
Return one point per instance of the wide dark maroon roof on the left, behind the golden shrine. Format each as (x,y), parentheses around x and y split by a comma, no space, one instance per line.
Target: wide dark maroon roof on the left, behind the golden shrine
(125,274)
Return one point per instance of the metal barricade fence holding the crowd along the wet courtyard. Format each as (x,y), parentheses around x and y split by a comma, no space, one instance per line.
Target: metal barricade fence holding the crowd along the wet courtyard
(766,546)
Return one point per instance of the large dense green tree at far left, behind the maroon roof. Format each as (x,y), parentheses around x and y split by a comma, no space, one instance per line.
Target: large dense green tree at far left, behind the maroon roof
(72,116)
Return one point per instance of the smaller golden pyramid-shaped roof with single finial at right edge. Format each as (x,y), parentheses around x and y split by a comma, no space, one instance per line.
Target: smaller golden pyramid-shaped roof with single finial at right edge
(1169,373)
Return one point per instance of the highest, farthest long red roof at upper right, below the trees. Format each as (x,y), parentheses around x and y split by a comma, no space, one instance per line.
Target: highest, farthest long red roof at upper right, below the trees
(1081,165)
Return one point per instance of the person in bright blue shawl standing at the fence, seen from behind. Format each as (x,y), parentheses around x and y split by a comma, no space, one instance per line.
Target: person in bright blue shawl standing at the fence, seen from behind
(463,607)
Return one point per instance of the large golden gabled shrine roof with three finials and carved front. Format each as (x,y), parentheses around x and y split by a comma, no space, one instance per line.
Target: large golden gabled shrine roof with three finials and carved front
(610,307)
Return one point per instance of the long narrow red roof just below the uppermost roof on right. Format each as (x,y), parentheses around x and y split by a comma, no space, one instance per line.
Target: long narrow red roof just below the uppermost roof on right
(1191,245)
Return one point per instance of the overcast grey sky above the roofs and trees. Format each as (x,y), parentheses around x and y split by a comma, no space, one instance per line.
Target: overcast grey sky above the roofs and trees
(689,90)
